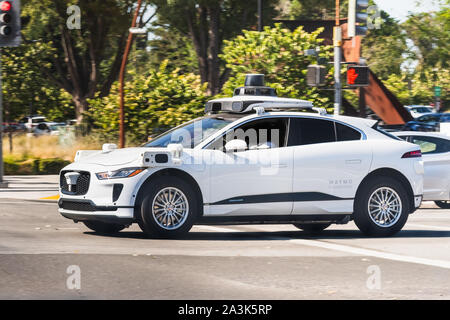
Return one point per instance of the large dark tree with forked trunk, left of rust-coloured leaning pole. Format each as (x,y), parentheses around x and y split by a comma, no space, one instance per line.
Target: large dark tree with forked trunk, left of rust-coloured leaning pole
(80,61)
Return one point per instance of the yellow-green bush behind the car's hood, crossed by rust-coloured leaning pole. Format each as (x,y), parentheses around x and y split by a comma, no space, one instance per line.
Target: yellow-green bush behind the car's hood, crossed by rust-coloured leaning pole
(161,99)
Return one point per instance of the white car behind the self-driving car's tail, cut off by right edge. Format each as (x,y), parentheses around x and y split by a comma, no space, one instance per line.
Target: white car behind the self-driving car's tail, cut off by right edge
(436,157)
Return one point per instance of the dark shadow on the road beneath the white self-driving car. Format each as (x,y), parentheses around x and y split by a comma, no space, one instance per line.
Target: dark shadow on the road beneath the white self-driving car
(278,235)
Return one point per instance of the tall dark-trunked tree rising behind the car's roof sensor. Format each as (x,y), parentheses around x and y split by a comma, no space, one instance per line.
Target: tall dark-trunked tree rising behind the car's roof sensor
(207,23)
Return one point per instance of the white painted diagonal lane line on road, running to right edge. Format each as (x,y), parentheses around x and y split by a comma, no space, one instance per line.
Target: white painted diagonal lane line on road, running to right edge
(357,251)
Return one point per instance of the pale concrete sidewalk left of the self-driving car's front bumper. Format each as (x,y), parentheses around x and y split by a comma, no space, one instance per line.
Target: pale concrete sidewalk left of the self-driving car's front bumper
(31,187)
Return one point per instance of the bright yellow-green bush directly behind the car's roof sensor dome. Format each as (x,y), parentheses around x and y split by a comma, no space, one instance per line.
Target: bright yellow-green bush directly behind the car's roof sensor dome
(280,55)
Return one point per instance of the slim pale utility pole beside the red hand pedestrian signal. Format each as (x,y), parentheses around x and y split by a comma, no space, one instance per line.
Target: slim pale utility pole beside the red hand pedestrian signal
(337,41)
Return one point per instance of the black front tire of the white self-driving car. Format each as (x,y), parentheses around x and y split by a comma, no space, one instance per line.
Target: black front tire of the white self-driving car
(156,229)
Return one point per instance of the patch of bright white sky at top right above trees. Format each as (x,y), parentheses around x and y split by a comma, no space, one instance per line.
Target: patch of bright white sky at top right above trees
(399,9)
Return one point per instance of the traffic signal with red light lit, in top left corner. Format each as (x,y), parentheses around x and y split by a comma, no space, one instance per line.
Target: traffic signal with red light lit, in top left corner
(10,23)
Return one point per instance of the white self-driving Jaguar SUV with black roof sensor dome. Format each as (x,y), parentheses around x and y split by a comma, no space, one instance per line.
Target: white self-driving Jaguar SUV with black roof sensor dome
(254,158)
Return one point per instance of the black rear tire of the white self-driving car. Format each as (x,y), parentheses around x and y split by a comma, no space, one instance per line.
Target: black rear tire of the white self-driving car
(361,215)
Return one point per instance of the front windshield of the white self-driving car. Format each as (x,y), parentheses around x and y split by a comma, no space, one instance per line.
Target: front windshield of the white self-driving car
(192,133)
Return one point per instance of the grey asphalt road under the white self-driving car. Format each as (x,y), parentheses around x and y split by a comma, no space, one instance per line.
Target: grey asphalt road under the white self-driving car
(37,246)
